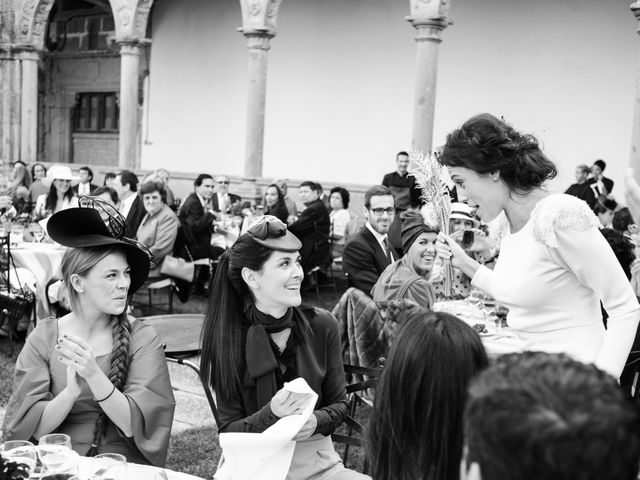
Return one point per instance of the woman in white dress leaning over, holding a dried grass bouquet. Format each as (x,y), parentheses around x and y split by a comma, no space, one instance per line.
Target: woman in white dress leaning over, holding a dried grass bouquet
(554,266)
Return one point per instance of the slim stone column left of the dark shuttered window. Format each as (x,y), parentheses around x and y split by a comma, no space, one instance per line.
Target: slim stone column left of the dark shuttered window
(29,106)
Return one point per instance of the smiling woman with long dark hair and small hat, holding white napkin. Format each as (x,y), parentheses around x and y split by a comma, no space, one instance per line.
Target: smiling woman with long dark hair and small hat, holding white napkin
(257,336)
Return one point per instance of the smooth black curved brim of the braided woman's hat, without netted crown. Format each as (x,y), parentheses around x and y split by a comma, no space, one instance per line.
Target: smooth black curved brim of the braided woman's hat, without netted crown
(83,227)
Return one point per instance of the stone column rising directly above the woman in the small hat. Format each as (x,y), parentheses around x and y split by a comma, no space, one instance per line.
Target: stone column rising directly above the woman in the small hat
(258,43)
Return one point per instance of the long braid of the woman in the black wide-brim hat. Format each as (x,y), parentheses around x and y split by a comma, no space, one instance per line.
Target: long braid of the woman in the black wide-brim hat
(118,369)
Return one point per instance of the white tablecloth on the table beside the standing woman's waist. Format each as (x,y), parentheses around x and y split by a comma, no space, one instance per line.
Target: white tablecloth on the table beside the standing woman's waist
(496,340)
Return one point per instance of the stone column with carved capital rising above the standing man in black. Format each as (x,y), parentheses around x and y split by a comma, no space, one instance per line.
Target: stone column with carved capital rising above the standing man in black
(429,19)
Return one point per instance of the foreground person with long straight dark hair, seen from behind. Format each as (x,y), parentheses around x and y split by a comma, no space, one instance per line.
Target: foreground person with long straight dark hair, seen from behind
(415,430)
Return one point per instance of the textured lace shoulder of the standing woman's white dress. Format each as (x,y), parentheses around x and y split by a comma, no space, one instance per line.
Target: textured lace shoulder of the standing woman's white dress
(561,212)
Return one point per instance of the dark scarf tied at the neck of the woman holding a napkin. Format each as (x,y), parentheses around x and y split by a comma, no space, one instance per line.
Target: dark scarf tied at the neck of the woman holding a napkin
(261,360)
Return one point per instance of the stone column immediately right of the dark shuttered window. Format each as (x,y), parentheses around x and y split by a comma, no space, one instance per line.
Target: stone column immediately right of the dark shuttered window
(130,52)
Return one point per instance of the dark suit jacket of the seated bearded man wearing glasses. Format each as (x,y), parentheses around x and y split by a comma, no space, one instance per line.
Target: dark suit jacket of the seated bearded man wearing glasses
(363,260)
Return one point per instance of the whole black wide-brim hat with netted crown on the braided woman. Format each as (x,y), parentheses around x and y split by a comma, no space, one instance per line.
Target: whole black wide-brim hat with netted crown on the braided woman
(95,224)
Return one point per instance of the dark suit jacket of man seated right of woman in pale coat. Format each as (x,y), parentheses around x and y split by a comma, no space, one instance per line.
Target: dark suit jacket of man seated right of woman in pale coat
(197,226)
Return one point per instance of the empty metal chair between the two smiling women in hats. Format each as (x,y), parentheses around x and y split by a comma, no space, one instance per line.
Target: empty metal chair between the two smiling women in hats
(180,334)
